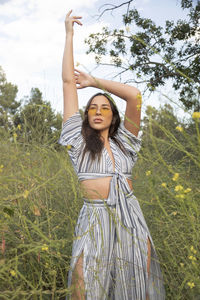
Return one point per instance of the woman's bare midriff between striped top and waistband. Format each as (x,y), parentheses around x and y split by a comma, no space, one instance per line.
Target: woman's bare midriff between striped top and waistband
(98,188)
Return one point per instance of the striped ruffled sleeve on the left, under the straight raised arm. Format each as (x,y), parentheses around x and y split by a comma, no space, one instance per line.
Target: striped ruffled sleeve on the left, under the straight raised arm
(71,134)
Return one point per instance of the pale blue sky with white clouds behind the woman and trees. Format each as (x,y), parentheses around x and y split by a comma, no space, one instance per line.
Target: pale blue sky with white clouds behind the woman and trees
(32,38)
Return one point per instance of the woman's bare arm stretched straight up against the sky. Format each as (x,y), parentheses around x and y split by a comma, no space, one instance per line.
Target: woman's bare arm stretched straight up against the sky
(70,97)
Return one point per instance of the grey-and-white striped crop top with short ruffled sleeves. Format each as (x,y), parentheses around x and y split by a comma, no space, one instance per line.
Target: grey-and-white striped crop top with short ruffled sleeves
(71,136)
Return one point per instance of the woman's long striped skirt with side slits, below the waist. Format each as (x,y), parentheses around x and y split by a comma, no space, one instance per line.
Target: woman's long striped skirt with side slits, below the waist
(114,256)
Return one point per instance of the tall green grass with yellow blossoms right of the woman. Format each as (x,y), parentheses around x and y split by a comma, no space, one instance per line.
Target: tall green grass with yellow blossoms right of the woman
(166,181)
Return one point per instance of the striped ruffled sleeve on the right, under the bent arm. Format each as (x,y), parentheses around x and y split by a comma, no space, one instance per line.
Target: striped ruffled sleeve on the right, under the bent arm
(130,142)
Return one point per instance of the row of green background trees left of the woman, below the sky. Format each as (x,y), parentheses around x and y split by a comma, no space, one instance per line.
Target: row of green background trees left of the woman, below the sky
(35,121)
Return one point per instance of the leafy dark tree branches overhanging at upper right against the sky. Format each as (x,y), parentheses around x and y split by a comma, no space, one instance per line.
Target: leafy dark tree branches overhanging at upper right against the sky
(154,54)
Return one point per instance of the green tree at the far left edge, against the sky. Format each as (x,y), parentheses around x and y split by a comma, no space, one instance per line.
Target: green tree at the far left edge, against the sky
(8,104)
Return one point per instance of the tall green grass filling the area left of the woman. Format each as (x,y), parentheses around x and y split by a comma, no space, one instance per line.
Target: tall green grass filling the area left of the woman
(39,205)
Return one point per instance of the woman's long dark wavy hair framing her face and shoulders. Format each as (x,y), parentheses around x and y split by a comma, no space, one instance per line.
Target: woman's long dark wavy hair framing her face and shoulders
(93,143)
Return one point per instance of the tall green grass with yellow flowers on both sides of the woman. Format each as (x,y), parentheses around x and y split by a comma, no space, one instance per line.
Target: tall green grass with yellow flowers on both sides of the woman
(41,199)
